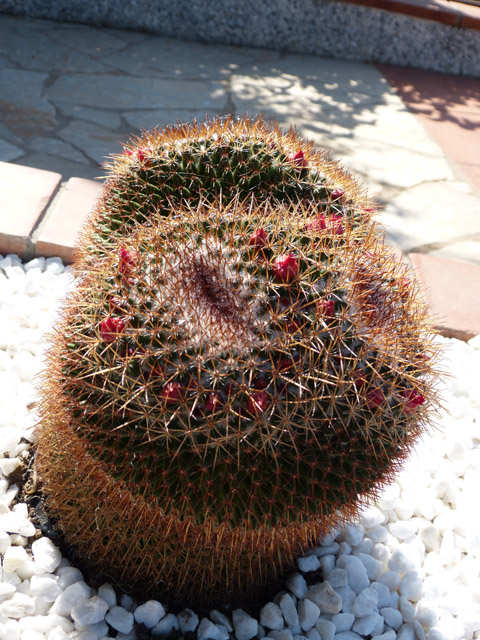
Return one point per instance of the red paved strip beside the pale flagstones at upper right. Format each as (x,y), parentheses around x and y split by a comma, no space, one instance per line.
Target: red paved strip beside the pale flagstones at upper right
(449,108)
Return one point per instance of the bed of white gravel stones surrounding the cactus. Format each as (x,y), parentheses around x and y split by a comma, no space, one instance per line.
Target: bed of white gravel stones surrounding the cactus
(410,569)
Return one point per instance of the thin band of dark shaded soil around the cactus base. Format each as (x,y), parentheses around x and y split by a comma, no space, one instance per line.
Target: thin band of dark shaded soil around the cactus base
(30,493)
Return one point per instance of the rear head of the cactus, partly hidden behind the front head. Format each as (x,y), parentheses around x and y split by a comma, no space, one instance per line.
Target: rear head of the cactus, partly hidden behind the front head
(229,159)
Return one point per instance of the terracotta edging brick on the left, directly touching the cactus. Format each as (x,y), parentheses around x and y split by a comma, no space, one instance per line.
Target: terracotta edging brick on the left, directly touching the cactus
(58,234)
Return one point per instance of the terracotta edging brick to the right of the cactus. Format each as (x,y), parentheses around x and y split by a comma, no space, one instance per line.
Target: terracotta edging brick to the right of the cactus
(452,290)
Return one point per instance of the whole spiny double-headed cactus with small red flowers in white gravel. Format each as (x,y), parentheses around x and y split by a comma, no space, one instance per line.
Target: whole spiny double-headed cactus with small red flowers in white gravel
(242,365)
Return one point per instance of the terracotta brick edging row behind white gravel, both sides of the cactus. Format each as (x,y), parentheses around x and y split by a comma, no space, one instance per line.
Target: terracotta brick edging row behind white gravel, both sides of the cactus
(45,220)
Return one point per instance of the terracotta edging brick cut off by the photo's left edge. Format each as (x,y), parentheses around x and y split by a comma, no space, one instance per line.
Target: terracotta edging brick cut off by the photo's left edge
(24,195)
